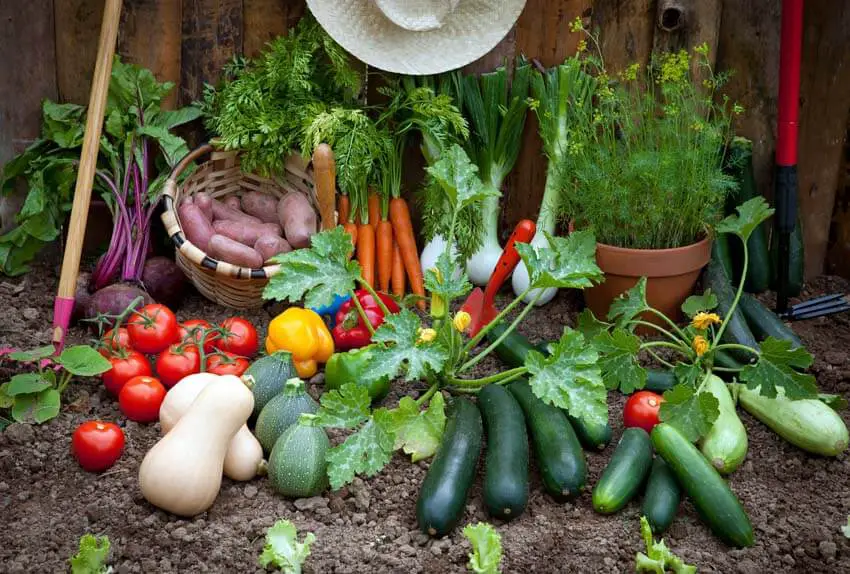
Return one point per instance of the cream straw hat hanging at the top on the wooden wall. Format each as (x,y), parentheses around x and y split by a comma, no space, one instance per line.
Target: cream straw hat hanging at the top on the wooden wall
(417,36)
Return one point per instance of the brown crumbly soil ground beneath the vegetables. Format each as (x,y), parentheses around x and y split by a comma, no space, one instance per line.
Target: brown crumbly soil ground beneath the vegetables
(796,502)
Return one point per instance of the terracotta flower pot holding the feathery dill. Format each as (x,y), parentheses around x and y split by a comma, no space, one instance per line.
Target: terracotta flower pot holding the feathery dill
(671,275)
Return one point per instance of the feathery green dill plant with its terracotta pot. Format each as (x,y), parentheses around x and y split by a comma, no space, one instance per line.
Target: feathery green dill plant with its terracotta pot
(644,171)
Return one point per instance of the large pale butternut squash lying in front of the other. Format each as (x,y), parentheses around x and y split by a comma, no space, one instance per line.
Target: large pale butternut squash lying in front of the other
(181,474)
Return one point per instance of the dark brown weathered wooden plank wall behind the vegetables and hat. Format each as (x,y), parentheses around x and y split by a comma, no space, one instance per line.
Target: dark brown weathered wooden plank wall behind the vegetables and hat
(187,42)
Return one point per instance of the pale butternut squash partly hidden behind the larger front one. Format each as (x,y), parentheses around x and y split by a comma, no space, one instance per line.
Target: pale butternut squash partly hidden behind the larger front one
(244,459)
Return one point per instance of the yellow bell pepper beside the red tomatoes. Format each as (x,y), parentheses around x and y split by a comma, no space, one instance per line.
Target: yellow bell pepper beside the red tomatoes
(303,333)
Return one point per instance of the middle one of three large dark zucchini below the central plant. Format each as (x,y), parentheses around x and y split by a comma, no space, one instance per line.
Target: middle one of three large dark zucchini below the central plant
(506,461)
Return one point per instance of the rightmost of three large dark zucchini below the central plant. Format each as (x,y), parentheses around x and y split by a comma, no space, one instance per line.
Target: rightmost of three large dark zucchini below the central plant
(559,455)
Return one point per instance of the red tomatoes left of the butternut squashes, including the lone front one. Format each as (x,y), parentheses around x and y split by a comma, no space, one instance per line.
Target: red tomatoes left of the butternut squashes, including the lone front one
(177,350)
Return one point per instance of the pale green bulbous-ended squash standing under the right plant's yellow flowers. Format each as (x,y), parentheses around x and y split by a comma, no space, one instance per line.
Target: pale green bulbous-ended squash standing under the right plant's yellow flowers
(725,445)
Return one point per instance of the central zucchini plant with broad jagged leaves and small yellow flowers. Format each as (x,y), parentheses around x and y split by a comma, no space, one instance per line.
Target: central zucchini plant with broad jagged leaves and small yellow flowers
(433,349)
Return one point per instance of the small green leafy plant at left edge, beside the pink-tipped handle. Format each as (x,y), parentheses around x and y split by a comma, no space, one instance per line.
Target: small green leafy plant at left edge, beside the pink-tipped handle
(35,397)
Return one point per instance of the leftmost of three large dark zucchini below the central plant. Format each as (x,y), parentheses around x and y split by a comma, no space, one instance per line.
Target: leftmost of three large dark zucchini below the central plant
(446,485)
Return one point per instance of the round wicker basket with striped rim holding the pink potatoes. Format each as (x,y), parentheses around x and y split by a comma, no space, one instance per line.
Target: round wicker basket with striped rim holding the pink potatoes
(224,283)
